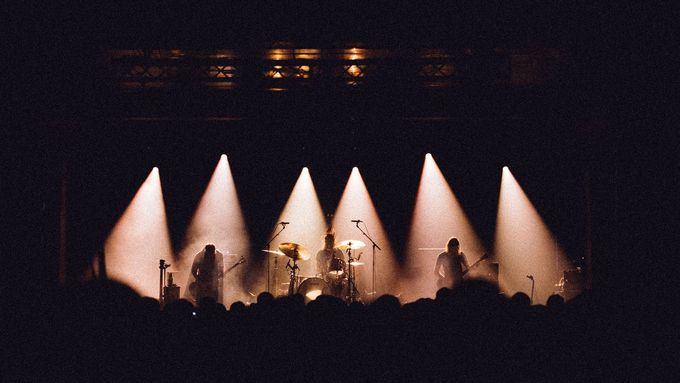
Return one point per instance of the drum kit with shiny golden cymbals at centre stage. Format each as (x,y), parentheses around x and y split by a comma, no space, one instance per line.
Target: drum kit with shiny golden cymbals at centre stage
(340,280)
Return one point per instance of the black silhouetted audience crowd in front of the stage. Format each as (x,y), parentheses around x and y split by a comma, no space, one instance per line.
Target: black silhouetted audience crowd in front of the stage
(104,331)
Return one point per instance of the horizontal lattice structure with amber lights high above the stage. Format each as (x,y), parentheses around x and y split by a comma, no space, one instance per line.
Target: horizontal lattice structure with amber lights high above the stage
(289,68)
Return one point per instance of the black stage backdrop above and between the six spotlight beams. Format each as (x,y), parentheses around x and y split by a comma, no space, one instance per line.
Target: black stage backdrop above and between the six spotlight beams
(106,165)
